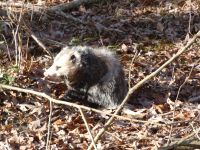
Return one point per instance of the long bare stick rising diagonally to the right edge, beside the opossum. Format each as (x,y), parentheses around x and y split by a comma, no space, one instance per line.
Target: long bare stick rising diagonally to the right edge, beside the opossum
(139,84)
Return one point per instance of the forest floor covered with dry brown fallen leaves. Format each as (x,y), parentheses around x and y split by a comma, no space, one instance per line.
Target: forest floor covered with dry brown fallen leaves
(150,31)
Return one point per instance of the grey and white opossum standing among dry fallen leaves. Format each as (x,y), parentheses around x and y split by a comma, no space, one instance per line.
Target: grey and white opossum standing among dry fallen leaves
(91,74)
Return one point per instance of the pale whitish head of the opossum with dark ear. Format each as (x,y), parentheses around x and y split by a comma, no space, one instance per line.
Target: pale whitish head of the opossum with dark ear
(69,63)
